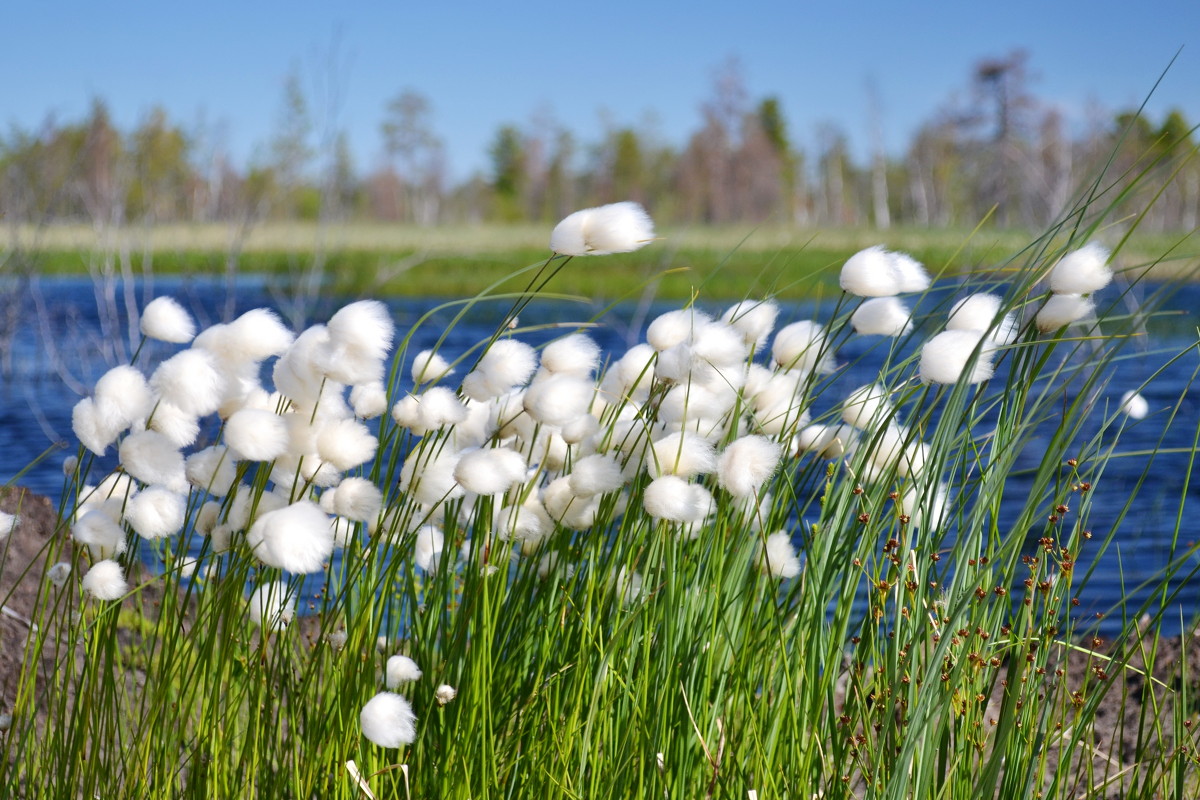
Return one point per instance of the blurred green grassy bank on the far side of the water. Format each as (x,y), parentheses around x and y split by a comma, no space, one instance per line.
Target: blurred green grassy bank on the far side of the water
(364,260)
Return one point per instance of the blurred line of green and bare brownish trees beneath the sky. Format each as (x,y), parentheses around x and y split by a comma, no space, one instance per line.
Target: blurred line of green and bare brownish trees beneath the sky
(997,153)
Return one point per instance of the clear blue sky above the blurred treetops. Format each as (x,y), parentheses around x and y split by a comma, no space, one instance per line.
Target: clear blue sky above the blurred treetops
(487,64)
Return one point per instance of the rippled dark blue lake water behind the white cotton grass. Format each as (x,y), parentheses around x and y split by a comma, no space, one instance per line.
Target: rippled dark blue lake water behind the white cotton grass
(58,336)
